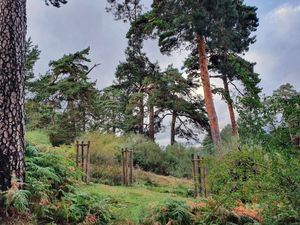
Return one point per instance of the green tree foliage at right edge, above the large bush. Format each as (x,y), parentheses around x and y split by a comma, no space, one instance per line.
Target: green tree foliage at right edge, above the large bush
(276,120)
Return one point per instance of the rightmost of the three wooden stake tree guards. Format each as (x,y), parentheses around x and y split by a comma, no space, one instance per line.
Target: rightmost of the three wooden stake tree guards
(199,171)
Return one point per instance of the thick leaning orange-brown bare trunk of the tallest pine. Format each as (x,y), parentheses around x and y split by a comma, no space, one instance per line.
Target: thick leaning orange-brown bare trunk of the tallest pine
(208,97)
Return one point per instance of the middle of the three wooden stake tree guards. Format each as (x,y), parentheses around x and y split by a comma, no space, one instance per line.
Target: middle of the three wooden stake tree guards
(127,165)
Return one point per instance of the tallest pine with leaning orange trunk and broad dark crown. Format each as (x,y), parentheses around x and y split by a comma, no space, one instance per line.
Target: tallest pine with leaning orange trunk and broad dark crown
(205,24)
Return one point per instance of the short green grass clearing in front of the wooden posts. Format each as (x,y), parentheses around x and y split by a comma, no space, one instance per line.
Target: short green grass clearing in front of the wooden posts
(131,203)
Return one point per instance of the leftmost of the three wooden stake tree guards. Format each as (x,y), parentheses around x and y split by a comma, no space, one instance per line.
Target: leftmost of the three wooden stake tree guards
(83,158)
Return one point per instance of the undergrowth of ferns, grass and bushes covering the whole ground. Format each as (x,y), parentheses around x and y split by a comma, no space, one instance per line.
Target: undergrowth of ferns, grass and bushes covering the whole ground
(247,185)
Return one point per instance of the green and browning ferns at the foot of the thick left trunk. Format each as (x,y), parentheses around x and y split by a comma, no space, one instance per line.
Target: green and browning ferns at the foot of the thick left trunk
(50,192)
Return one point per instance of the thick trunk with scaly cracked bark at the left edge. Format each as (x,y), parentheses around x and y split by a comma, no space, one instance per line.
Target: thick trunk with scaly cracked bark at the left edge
(12,57)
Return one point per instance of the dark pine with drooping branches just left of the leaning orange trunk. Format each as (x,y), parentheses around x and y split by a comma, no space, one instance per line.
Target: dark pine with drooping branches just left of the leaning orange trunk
(175,96)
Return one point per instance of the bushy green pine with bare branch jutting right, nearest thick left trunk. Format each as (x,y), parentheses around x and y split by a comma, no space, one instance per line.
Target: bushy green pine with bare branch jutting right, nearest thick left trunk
(68,90)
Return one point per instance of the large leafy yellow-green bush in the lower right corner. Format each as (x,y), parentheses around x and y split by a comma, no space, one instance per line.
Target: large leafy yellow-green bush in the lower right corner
(254,176)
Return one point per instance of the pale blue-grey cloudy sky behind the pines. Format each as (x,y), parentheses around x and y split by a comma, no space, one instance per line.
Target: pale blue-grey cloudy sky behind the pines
(83,23)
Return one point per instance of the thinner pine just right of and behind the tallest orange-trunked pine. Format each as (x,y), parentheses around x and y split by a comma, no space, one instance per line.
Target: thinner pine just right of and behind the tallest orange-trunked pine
(228,67)
